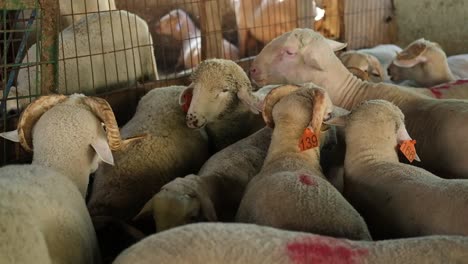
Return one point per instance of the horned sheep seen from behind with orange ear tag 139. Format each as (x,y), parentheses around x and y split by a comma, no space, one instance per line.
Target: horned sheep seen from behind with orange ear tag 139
(291,192)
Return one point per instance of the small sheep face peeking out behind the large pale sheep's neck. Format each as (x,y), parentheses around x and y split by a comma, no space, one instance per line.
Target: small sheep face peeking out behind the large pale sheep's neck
(365,66)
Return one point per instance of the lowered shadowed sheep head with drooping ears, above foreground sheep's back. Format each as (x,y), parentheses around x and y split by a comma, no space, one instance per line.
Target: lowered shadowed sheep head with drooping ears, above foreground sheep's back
(182,201)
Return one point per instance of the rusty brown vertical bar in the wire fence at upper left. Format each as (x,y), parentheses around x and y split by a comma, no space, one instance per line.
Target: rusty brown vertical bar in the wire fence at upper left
(49,47)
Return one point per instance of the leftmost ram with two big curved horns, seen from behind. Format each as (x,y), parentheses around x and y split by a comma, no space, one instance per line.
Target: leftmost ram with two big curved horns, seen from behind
(43,215)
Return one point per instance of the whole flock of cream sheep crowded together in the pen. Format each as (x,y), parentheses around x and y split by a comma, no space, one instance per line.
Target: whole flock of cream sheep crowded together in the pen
(322,157)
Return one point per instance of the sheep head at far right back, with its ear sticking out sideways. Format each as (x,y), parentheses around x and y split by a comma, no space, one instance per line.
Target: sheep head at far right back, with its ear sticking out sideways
(422,61)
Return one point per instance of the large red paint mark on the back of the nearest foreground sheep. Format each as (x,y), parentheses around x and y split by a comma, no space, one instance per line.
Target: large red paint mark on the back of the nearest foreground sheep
(321,250)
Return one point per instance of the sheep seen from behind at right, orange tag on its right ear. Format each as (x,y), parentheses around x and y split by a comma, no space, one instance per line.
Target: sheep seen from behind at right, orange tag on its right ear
(396,199)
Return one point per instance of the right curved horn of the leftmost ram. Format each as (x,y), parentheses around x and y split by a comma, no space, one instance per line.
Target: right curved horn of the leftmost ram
(103,111)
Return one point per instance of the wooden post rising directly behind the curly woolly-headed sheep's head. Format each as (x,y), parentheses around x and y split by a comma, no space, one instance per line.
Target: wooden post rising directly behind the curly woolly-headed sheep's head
(210,26)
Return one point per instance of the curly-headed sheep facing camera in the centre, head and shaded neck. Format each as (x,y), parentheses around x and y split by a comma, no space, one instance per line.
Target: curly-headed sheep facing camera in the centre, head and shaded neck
(222,97)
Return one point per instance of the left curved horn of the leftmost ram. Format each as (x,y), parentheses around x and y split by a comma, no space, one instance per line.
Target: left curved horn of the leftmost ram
(31,115)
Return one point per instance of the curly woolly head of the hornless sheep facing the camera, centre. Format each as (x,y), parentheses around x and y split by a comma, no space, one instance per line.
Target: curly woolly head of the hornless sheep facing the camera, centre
(219,87)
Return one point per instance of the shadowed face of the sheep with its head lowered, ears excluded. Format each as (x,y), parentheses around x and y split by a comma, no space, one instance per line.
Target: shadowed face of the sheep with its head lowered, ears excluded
(172,209)
